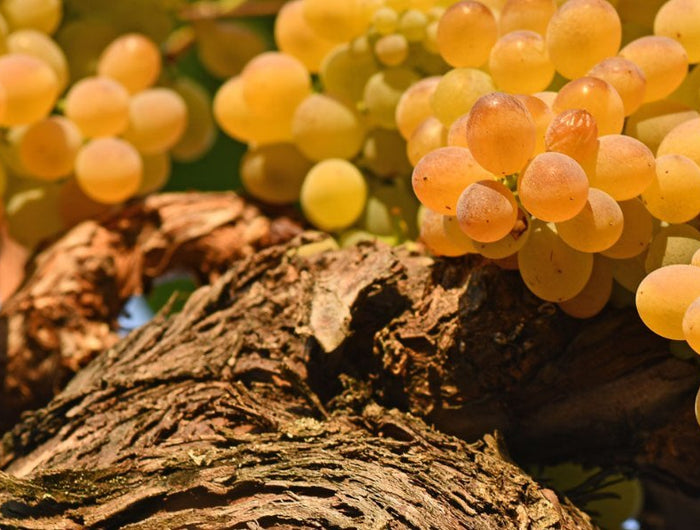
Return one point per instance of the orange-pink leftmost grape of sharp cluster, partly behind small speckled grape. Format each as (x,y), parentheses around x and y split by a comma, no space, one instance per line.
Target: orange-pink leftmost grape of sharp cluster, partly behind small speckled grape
(440,177)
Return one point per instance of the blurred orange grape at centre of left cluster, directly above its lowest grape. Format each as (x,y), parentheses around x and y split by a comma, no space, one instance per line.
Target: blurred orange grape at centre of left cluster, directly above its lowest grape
(99,106)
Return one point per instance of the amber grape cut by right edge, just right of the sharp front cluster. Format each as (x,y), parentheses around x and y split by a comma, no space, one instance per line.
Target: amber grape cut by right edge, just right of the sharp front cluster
(674,195)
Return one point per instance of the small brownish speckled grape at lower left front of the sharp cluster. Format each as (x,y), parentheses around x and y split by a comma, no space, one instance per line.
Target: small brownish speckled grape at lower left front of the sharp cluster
(486,211)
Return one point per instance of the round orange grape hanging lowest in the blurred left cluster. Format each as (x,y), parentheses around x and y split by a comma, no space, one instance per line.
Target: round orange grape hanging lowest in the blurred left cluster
(109,170)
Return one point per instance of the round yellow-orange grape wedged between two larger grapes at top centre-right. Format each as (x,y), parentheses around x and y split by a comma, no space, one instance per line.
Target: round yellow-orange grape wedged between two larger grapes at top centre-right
(519,63)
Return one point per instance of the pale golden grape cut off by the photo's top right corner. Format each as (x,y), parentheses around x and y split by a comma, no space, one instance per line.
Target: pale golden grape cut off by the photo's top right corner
(678,19)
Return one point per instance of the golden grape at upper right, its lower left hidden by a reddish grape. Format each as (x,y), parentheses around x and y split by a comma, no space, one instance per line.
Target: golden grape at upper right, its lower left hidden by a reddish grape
(663,62)
